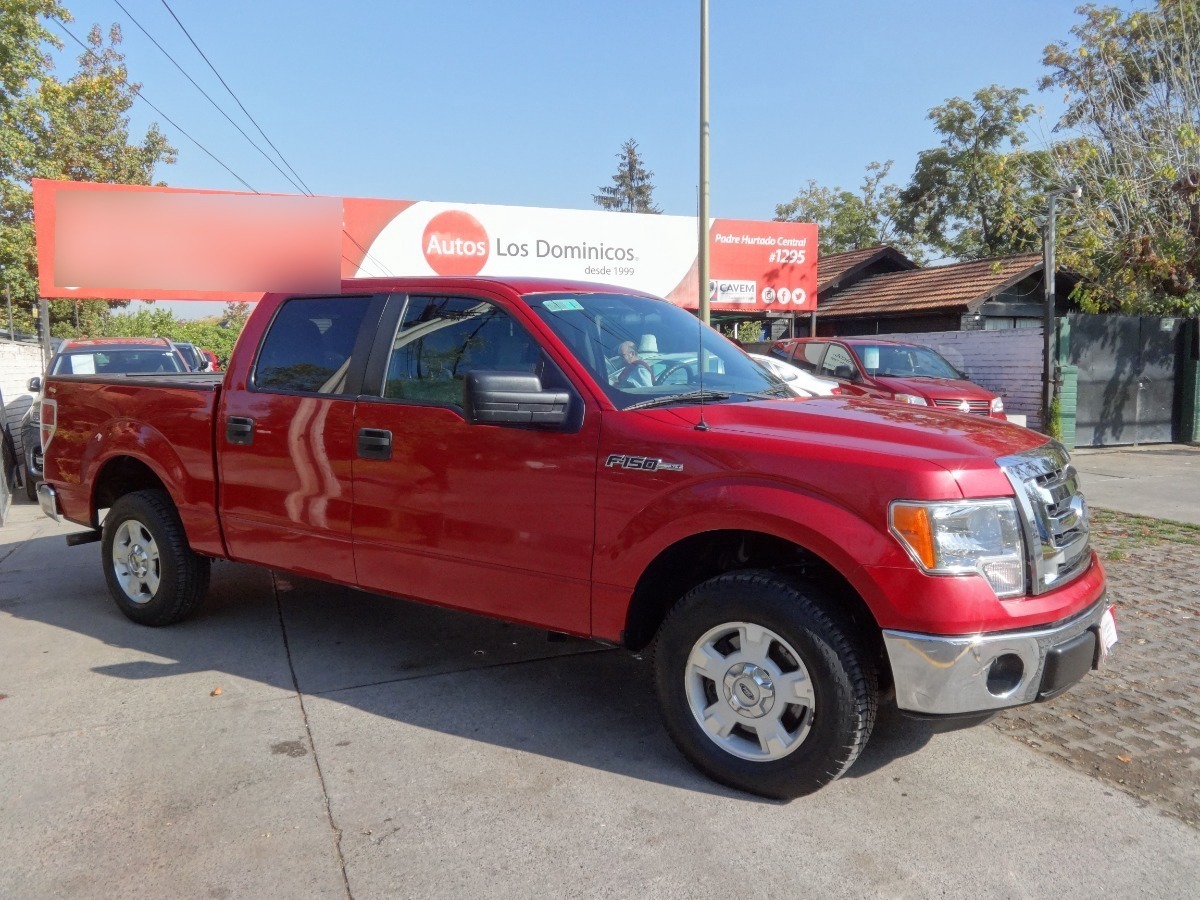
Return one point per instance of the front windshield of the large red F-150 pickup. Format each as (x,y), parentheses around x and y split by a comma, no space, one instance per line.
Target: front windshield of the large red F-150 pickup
(646,352)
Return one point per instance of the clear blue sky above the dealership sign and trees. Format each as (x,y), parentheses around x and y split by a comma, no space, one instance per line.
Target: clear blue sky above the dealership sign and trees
(527,104)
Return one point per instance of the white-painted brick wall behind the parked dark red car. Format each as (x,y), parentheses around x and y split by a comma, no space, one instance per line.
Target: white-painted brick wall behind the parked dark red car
(1007,363)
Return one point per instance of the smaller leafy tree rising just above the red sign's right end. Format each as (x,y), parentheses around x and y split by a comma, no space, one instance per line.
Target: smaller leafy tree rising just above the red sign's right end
(853,221)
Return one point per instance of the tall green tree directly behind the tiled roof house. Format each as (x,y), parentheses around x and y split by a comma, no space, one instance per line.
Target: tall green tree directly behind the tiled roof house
(977,194)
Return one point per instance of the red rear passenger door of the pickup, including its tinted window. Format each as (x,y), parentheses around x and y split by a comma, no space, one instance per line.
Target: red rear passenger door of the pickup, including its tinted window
(287,440)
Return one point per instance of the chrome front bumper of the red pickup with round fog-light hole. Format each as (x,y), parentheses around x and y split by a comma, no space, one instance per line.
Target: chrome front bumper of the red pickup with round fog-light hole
(976,674)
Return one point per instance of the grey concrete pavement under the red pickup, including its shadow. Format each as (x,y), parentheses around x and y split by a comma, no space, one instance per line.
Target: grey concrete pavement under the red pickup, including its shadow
(297,740)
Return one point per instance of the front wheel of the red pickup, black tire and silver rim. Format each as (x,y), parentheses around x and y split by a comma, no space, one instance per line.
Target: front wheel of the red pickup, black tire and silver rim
(805,679)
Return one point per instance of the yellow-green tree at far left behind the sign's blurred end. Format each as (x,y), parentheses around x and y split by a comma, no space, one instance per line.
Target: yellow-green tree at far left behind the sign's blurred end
(75,130)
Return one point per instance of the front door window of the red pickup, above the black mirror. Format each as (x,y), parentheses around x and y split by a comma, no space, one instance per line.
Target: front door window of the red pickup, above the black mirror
(441,339)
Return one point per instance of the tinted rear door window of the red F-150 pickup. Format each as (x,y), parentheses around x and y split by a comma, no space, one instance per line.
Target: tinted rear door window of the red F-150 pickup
(308,347)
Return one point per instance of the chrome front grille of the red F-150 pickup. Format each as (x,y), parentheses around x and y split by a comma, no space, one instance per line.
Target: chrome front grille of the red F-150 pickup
(1054,514)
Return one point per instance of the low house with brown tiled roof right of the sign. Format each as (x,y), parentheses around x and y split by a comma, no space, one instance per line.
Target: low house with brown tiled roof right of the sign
(880,291)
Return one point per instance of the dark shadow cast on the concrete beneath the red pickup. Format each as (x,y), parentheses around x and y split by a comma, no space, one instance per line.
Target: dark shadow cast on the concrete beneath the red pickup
(441,670)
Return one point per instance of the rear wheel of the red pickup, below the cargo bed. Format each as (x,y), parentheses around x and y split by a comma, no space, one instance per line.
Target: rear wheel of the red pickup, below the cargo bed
(154,577)
